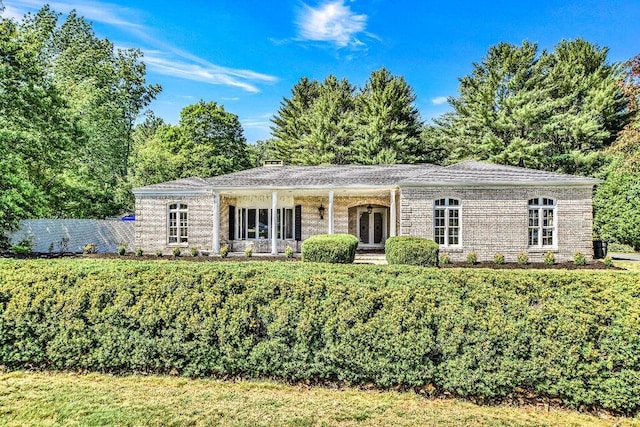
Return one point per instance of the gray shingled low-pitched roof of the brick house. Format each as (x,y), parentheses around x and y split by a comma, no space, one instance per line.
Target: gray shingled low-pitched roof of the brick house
(464,173)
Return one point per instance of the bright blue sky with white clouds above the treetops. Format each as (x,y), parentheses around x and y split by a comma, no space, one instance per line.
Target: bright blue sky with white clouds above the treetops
(247,55)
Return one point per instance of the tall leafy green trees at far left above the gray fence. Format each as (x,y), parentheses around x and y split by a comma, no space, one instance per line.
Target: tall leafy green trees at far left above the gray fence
(68,105)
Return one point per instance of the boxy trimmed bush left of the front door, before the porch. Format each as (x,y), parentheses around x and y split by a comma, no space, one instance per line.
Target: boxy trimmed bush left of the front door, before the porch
(332,248)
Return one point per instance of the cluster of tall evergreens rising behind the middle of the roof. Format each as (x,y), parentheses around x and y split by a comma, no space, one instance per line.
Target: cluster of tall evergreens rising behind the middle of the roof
(333,122)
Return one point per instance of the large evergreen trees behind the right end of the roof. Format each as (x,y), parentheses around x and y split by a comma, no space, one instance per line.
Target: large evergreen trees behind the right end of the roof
(553,110)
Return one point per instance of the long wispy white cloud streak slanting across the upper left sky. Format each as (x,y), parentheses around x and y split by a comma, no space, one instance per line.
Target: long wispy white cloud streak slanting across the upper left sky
(162,57)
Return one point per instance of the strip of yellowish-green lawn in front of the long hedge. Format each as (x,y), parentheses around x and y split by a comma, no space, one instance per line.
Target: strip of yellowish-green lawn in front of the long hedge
(49,399)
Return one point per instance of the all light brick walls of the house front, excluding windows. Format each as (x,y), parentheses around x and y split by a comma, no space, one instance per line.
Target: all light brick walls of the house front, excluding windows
(492,220)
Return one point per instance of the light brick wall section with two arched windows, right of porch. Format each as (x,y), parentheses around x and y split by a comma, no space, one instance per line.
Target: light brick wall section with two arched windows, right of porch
(496,220)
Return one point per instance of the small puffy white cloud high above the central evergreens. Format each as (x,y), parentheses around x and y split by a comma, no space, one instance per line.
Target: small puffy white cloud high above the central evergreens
(331,22)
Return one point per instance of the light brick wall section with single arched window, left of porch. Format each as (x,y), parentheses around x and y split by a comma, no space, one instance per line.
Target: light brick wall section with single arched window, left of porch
(151,224)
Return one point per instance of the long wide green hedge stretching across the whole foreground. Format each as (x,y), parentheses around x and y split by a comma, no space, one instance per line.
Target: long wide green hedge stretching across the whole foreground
(480,334)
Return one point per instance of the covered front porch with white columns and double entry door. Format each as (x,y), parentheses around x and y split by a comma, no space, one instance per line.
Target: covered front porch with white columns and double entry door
(269,221)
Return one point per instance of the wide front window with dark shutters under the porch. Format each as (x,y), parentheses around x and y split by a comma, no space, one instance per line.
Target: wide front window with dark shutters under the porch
(255,223)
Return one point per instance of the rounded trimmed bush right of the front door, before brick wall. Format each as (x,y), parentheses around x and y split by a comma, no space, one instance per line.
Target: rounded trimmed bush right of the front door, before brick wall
(411,250)
